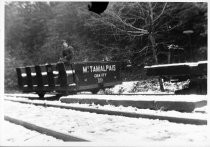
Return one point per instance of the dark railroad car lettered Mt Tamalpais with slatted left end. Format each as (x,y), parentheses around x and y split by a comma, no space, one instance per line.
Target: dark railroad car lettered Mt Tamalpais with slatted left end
(65,79)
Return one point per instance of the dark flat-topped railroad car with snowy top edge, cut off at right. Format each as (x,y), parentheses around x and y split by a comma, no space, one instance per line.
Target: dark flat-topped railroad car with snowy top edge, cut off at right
(195,72)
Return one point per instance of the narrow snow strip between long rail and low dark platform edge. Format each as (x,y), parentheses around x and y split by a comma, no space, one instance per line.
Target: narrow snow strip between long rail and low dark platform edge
(198,113)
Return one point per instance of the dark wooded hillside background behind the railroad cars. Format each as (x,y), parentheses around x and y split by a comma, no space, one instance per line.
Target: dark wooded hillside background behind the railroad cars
(135,32)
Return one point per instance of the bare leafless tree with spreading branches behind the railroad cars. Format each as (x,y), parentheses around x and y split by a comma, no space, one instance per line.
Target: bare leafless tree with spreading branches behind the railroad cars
(132,20)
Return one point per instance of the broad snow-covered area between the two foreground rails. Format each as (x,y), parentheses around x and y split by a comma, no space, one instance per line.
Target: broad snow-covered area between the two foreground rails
(106,128)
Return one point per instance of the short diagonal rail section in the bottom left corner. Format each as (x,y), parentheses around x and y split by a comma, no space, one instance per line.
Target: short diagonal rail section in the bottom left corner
(43,130)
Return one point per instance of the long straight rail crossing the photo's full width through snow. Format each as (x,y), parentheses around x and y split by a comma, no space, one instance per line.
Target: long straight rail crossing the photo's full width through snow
(174,119)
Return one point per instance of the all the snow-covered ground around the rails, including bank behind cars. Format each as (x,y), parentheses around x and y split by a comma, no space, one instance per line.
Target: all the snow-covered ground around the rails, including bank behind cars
(114,130)
